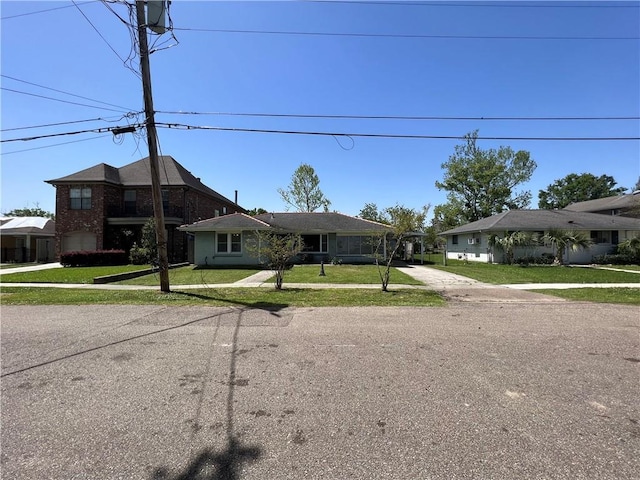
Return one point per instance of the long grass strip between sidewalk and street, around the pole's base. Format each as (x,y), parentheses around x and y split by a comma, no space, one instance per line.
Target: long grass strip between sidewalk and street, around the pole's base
(241,297)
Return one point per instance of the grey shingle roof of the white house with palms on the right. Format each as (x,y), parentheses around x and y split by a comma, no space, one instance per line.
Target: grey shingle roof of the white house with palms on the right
(533,220)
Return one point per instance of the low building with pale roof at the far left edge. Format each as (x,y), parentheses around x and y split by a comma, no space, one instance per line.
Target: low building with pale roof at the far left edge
(27,239)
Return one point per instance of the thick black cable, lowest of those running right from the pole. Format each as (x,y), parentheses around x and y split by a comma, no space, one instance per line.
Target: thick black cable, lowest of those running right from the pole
(384,135)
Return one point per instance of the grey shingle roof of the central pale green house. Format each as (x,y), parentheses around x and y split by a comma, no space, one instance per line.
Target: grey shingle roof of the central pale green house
(298,222)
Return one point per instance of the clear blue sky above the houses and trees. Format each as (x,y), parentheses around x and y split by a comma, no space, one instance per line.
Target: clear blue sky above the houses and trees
(417,59)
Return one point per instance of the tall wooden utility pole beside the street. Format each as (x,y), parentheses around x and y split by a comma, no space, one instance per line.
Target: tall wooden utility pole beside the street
(150,123)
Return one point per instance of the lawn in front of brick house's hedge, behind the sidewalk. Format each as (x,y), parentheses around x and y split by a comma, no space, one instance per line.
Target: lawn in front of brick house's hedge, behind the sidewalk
(67,274)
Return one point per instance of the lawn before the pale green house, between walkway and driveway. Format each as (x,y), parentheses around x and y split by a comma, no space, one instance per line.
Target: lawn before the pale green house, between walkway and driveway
(341,274)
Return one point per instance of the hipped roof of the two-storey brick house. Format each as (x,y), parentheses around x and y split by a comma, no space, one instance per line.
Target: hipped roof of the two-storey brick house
(138,174)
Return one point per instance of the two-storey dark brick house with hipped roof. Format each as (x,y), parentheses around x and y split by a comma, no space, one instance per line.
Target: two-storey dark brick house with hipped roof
(105,207)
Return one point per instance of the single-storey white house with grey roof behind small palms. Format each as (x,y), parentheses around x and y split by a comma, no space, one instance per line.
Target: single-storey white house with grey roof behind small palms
(471,241)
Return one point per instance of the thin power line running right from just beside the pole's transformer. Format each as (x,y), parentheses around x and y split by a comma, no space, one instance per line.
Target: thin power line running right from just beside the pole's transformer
(396,35)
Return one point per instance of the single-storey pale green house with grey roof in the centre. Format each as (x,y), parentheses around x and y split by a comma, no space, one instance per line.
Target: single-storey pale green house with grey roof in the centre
(326,236)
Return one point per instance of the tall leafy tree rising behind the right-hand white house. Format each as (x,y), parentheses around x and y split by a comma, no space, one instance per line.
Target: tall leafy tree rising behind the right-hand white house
(482,182)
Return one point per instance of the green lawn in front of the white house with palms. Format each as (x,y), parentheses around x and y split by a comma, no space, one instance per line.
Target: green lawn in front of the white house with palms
(506,274)
